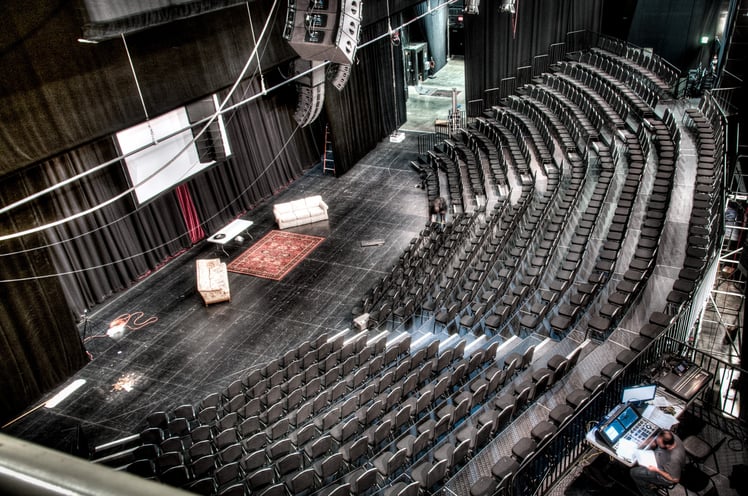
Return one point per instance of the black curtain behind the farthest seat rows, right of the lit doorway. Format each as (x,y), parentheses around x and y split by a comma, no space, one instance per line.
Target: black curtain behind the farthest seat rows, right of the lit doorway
(497,43)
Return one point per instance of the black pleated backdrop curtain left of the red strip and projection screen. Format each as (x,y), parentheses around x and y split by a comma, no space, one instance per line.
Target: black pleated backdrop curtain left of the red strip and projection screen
(105,251)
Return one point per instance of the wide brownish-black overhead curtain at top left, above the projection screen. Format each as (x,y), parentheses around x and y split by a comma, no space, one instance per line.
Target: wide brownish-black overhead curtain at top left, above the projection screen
(62,93)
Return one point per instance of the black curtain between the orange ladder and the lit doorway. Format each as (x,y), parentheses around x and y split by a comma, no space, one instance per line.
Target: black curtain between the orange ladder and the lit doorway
(371,105)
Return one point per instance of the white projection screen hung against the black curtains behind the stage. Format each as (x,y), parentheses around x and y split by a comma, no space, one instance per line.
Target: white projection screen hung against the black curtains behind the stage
(161,151)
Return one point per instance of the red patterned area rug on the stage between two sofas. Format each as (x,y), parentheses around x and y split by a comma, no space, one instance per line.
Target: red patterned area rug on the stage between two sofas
(275,255)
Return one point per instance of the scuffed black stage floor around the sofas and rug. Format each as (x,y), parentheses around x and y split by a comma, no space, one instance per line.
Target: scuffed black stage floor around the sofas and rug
(192,350)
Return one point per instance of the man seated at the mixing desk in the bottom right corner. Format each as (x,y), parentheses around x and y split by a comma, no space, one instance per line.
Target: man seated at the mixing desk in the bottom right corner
(671,457)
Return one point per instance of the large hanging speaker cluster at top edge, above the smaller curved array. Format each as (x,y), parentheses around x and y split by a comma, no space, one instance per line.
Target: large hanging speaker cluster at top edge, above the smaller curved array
(324,29)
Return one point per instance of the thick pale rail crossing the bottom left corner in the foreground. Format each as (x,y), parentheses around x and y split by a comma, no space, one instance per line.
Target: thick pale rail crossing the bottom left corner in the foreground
(27,468)
